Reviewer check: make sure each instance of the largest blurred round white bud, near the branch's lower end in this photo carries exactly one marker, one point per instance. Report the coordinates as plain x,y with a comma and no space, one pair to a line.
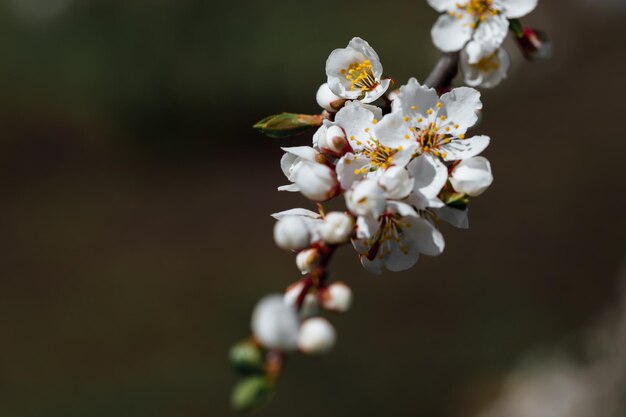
275,324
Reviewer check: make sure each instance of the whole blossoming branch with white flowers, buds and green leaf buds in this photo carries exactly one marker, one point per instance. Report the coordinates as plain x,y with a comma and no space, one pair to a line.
402,168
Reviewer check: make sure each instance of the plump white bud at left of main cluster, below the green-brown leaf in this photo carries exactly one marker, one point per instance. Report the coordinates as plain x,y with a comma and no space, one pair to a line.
315,181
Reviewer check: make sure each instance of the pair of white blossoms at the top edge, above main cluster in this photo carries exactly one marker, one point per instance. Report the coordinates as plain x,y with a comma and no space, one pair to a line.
478,28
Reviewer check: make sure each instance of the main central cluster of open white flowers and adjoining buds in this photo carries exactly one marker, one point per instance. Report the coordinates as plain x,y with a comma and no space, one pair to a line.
394,171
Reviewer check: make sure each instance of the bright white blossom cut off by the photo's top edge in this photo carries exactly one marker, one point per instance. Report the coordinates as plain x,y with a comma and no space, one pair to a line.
482,25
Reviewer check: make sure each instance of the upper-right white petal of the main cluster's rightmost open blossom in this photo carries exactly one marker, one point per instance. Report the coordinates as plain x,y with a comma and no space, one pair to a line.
461,106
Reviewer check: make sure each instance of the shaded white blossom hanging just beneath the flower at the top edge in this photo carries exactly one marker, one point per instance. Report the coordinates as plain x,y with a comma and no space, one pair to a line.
489,72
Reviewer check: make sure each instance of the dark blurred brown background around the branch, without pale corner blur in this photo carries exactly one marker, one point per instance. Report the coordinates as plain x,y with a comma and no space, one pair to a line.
135,235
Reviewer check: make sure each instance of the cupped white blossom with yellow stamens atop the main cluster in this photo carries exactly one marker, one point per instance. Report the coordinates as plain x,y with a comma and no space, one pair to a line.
355,72
